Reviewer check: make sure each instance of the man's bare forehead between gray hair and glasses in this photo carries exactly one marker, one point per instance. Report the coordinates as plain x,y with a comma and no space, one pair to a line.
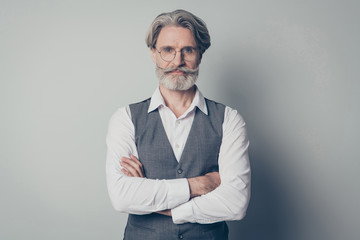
175,36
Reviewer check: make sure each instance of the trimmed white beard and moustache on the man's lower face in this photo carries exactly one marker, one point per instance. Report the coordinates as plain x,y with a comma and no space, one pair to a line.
174,82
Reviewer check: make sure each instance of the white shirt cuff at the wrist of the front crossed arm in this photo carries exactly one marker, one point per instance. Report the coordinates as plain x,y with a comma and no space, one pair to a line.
178,193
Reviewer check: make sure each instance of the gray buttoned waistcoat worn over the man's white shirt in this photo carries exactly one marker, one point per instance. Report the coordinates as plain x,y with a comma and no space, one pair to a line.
199,157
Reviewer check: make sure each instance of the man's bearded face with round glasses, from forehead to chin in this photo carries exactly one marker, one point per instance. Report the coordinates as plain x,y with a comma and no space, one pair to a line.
179,73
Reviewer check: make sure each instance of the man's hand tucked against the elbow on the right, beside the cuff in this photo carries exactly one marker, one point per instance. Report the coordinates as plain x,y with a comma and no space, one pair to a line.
204,184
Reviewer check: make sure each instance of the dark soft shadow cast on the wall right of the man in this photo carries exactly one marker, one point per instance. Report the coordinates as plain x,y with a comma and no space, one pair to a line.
270,215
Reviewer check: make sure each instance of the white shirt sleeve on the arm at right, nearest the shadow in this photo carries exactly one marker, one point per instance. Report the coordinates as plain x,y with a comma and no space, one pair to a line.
230,200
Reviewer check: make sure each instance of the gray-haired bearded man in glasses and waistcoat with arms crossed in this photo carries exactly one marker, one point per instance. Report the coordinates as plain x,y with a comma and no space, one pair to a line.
177,162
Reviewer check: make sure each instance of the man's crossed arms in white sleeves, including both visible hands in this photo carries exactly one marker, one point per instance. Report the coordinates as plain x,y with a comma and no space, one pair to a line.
204,199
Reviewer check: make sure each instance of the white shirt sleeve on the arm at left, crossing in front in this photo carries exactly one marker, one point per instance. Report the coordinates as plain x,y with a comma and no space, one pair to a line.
132,194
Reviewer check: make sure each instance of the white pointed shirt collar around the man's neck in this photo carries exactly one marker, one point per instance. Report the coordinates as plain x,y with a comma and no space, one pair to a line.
157,100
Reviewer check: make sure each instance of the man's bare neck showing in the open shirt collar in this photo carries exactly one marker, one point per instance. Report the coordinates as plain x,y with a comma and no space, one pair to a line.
177,101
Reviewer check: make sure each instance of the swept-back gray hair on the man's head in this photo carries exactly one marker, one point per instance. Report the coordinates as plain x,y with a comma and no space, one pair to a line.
180,18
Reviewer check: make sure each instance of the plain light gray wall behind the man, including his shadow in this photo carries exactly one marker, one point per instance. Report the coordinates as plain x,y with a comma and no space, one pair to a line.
290,67
